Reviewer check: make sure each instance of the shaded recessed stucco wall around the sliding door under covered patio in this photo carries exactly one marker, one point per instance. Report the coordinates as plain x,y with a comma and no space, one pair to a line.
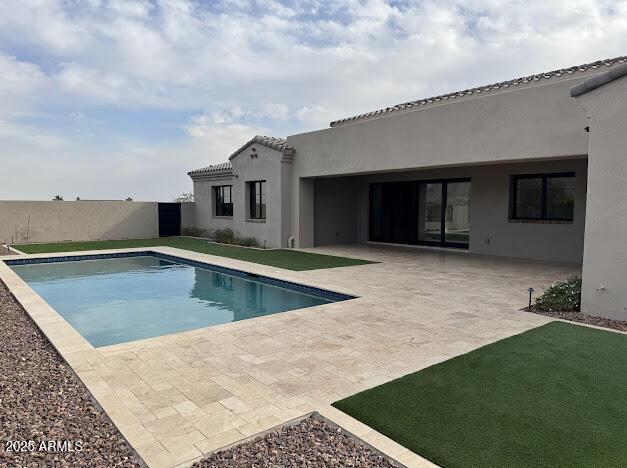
342,210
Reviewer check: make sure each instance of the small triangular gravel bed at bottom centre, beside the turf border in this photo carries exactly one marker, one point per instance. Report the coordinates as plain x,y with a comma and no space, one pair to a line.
310,443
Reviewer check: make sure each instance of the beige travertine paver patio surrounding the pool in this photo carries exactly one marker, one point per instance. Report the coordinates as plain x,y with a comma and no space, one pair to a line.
179,396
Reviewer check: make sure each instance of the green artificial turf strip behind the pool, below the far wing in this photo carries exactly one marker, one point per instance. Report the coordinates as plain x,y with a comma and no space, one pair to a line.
288,259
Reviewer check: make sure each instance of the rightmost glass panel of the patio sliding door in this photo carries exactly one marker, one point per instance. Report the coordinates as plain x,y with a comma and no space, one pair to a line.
457,213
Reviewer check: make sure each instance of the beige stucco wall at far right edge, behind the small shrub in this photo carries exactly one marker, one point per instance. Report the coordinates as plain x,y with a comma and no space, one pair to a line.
605,266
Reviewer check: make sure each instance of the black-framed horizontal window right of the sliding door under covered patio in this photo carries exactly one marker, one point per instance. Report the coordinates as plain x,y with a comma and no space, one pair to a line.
549,197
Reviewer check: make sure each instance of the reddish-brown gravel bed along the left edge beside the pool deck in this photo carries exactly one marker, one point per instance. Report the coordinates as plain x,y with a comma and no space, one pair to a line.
41,400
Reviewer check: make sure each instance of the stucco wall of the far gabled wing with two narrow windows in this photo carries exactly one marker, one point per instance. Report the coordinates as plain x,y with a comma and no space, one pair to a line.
268,166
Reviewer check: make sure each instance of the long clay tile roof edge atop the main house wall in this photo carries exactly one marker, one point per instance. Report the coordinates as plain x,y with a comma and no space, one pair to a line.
483,89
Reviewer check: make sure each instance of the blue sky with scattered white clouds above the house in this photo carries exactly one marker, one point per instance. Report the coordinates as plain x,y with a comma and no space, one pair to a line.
108,99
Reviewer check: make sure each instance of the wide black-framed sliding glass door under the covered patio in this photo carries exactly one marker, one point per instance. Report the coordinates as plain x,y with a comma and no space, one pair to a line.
430,212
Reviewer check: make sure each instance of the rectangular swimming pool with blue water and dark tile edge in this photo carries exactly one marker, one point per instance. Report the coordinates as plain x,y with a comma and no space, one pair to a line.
116,298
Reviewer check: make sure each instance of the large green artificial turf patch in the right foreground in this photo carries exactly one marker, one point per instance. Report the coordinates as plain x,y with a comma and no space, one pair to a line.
552,396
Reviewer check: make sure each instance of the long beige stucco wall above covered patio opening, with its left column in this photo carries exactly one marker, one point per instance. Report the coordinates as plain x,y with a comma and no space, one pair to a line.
529,123
